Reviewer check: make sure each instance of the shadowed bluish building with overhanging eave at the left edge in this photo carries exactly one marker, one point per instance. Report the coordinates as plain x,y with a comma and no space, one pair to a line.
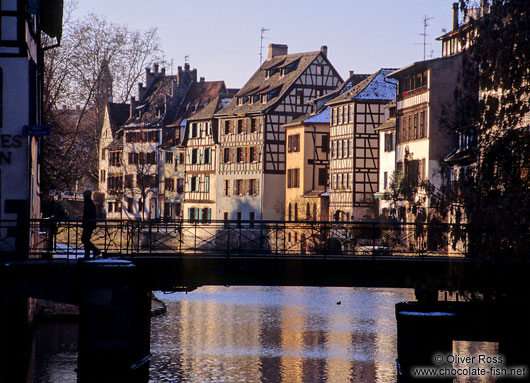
21,53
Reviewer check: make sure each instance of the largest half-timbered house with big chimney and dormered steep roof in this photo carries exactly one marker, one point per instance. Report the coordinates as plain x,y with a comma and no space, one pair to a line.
251,176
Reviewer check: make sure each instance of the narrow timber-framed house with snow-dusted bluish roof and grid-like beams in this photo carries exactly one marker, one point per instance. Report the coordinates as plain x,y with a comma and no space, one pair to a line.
354,146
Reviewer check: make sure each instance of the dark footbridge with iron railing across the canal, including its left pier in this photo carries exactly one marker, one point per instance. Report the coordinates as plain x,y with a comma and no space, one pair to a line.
140,256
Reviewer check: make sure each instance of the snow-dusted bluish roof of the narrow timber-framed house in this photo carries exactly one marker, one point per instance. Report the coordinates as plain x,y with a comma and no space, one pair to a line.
374,87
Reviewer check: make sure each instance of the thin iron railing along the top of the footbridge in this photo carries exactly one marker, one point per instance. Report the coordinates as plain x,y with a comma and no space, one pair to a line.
129,238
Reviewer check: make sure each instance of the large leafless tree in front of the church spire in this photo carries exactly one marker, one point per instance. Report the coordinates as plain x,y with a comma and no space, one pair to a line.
97,62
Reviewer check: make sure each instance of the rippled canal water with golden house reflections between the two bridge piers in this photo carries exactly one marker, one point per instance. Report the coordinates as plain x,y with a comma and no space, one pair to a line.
270,334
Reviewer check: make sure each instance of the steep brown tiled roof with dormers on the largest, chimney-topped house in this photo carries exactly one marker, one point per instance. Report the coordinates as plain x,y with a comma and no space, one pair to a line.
262,83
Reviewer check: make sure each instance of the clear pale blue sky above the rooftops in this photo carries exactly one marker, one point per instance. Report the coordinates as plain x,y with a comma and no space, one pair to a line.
222,37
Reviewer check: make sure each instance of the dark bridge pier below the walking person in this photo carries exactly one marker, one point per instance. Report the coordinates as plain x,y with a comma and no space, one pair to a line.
114,327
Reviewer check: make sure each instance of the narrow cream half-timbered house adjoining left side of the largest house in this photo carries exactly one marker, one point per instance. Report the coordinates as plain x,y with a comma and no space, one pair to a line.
187,170
